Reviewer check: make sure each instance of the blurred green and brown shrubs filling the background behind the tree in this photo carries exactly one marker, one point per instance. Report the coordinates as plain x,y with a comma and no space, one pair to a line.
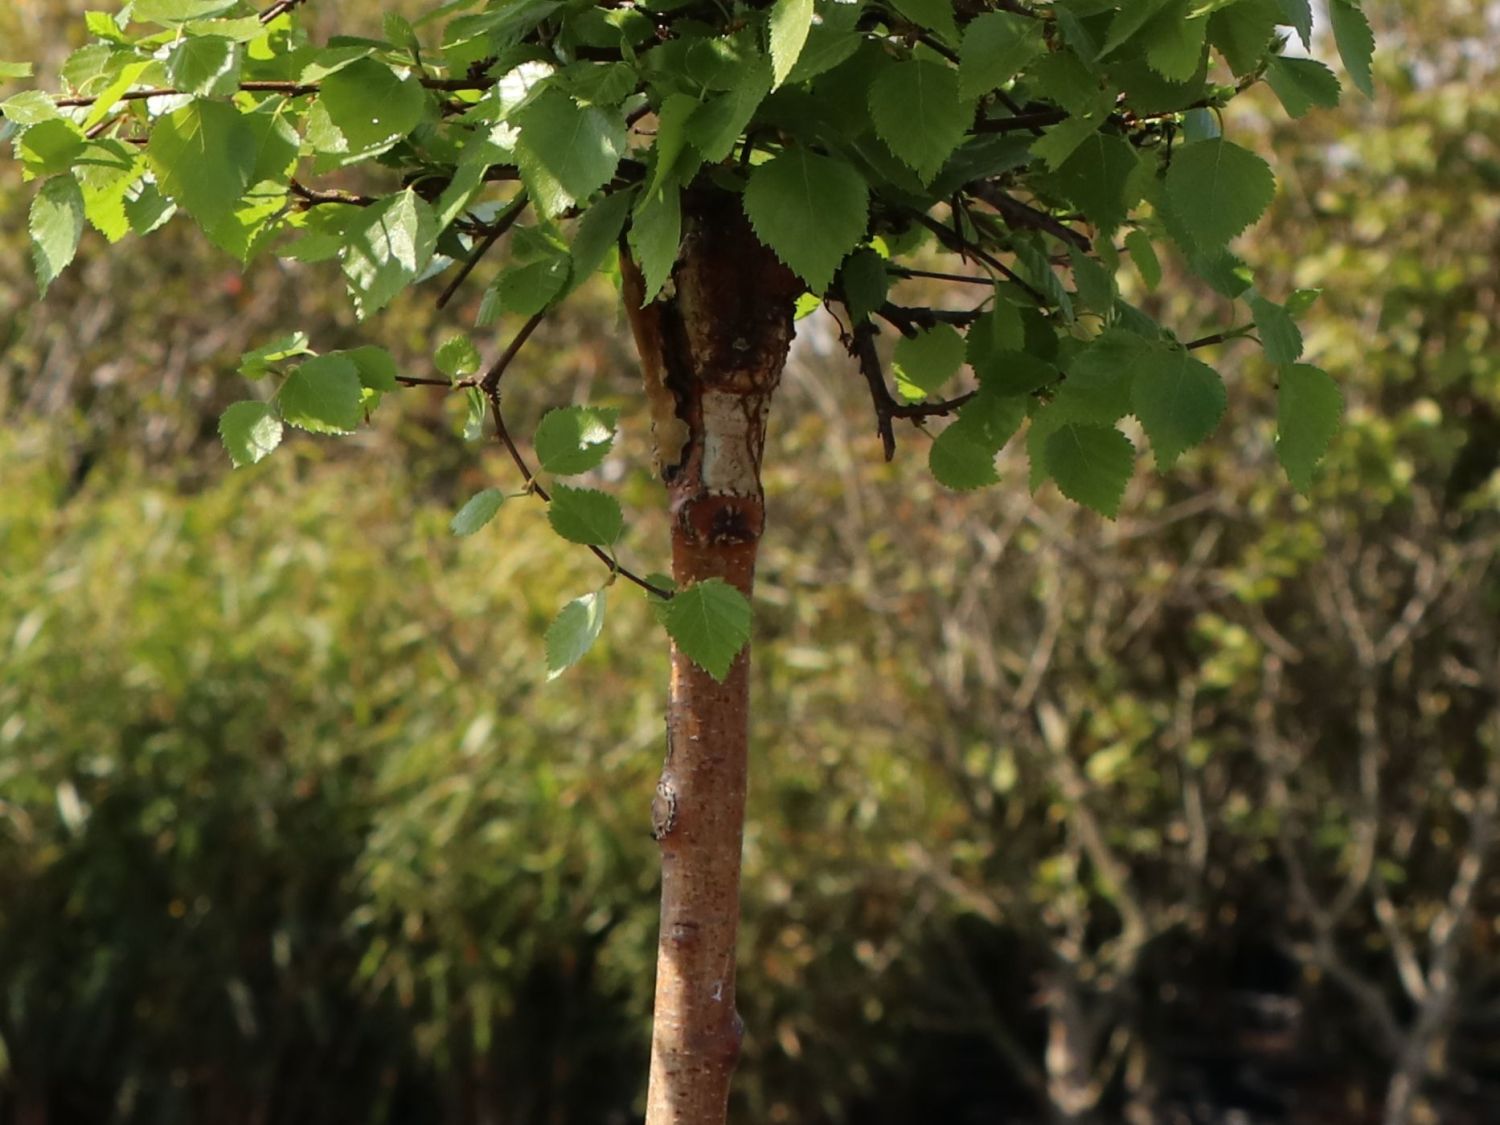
1186,818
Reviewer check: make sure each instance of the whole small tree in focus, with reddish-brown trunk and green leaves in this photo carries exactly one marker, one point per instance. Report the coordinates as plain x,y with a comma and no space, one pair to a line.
748,161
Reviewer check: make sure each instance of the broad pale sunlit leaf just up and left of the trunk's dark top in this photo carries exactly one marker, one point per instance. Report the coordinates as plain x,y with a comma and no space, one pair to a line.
566,152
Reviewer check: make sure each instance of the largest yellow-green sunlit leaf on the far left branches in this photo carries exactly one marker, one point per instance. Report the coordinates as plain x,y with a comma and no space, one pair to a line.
203,157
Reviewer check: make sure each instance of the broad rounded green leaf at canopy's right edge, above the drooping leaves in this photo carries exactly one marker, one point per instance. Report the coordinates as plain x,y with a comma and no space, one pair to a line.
1217,190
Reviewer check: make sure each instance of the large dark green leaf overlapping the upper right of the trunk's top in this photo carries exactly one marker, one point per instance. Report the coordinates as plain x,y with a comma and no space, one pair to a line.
809,209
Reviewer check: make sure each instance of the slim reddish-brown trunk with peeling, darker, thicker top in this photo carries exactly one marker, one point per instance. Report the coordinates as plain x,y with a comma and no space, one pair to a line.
712,347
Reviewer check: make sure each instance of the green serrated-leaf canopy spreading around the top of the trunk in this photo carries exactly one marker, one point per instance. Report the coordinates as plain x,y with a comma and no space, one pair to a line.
1030,148
